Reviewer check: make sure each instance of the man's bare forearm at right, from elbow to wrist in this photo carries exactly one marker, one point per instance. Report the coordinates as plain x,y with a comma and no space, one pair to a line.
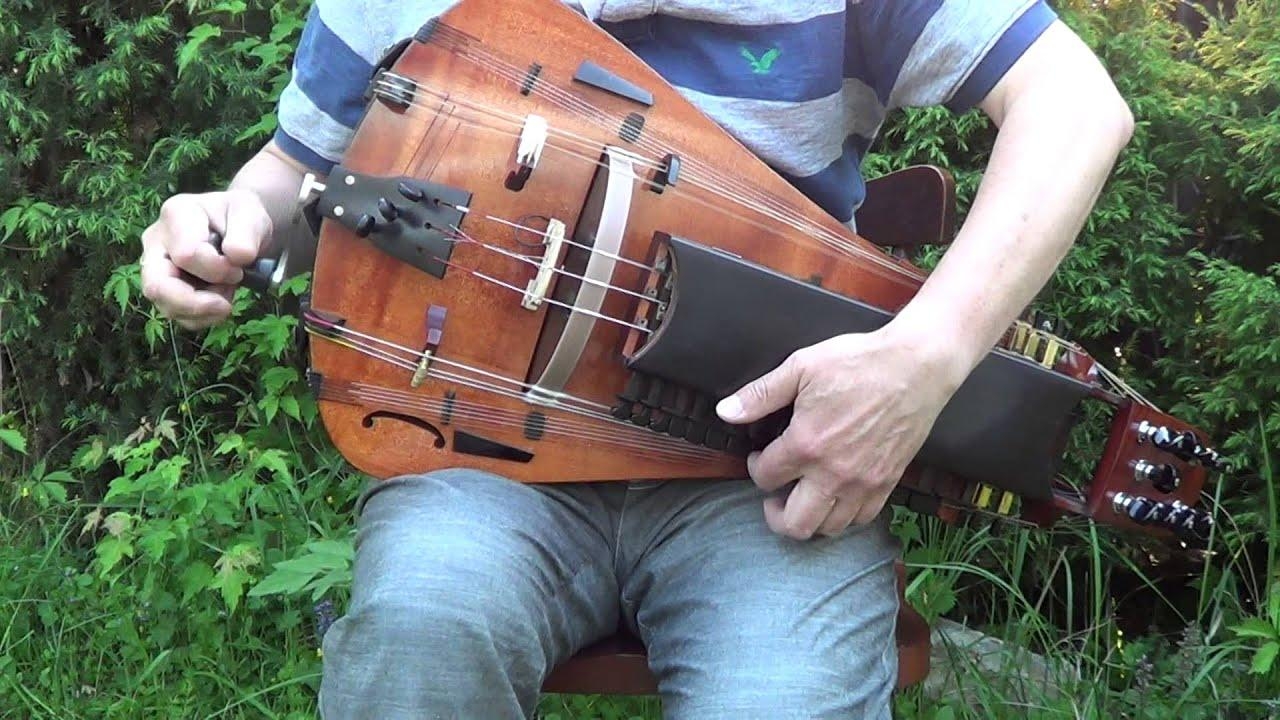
1053,157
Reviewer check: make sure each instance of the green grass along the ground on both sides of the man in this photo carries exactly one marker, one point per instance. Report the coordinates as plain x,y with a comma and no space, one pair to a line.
1130,632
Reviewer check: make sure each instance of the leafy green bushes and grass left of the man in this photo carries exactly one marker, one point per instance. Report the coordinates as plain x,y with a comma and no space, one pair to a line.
127,543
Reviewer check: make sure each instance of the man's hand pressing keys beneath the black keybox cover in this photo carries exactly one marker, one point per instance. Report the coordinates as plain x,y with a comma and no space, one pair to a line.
865,404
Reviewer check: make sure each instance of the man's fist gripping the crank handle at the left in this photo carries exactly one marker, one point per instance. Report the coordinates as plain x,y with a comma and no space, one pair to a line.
179,241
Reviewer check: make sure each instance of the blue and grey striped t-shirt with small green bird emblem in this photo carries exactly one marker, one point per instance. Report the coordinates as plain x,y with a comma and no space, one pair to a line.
803,84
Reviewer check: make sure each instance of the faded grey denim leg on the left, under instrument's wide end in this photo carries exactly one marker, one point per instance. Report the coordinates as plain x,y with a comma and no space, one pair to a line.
467,590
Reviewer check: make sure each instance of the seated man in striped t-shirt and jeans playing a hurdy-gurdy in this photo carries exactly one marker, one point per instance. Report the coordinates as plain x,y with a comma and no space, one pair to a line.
470,589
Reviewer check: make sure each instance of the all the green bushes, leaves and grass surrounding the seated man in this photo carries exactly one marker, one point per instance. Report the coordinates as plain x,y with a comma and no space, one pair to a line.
175,528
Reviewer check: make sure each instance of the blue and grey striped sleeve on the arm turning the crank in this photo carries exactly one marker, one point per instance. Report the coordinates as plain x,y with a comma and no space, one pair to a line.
324,101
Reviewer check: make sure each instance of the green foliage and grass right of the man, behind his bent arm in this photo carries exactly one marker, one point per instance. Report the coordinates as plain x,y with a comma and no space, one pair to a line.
1173,284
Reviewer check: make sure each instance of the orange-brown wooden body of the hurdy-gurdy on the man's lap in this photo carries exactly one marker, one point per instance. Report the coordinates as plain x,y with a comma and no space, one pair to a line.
474,92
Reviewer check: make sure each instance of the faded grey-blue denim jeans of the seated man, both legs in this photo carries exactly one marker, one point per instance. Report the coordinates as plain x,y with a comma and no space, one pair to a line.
469,590
